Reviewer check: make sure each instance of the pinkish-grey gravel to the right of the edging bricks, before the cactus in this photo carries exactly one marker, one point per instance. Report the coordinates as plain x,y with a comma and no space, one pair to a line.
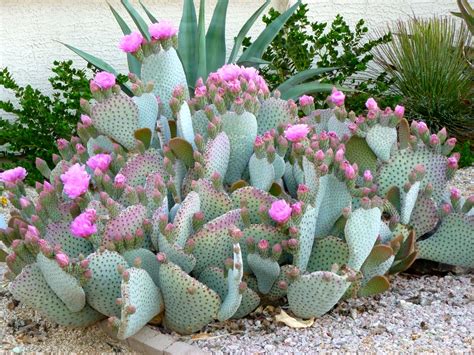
429,314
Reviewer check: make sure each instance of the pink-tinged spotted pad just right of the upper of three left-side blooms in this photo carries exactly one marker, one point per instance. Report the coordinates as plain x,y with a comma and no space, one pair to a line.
140,166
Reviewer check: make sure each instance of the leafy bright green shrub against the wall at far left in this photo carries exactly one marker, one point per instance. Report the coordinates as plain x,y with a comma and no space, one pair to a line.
40,119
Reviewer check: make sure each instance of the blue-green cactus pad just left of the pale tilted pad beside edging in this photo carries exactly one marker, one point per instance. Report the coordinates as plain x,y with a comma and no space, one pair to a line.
103,288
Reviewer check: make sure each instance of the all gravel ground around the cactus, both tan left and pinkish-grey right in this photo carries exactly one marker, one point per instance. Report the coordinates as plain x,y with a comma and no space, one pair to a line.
429,313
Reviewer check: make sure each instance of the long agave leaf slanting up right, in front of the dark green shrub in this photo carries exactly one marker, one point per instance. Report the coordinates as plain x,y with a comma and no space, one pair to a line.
258,47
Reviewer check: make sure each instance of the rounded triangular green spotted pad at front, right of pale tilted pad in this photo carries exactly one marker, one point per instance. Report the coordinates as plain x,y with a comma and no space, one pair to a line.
189,304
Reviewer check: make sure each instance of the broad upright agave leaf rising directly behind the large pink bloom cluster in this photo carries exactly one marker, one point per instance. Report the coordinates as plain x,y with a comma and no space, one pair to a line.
215,38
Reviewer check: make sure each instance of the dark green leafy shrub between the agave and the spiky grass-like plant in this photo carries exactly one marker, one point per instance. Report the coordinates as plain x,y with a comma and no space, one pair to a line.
302,44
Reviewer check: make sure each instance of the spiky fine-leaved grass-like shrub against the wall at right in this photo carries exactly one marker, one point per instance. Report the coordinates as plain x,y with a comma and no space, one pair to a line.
426,64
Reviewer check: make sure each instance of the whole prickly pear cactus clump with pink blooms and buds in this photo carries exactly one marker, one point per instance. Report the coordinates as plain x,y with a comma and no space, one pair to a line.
201,208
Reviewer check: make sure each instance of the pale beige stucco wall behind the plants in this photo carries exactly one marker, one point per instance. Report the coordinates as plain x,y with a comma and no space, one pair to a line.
29,29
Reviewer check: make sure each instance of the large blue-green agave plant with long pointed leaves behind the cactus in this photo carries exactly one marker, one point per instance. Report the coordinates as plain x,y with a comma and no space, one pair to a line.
202,52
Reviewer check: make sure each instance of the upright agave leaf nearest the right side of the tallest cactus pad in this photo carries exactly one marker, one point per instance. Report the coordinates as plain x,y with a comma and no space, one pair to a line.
187,41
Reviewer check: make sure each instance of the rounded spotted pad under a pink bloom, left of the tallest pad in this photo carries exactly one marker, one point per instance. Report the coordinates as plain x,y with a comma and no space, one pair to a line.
117,118
